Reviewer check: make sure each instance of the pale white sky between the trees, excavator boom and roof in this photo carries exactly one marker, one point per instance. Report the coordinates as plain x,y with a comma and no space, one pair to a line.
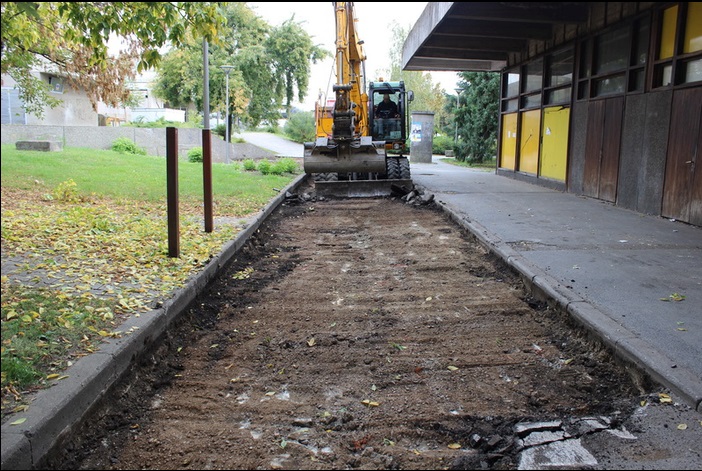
374,27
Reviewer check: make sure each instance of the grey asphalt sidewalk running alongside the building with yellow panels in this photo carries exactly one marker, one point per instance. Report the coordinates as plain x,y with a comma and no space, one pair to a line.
622,274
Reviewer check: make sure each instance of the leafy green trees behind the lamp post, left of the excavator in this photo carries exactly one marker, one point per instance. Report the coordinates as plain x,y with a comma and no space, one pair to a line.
271,67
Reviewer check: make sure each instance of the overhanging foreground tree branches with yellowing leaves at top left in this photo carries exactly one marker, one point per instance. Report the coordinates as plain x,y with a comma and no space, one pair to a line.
70,39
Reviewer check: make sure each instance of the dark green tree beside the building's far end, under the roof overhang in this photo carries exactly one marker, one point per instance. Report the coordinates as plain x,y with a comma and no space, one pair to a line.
478,115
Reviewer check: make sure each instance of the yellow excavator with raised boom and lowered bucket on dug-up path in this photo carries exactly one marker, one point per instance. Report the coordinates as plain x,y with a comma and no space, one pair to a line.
360,148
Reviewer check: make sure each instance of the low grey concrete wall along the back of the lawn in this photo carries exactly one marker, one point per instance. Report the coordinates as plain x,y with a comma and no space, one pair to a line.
152,139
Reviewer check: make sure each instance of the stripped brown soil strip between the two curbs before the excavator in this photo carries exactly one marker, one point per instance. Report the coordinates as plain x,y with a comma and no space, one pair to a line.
357,334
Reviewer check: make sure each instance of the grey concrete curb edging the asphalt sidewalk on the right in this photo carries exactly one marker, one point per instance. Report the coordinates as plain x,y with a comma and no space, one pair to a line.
626,346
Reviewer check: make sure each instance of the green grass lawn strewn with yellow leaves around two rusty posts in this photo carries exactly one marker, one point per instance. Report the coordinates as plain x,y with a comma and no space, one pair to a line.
85,245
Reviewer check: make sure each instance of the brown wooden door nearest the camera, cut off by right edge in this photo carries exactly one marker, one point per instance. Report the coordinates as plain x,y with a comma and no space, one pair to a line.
682,190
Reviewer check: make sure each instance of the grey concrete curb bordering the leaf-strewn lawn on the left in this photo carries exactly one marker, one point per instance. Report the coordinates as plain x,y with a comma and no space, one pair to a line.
59,410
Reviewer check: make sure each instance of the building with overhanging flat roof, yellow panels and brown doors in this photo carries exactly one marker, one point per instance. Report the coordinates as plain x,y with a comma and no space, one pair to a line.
602,100
